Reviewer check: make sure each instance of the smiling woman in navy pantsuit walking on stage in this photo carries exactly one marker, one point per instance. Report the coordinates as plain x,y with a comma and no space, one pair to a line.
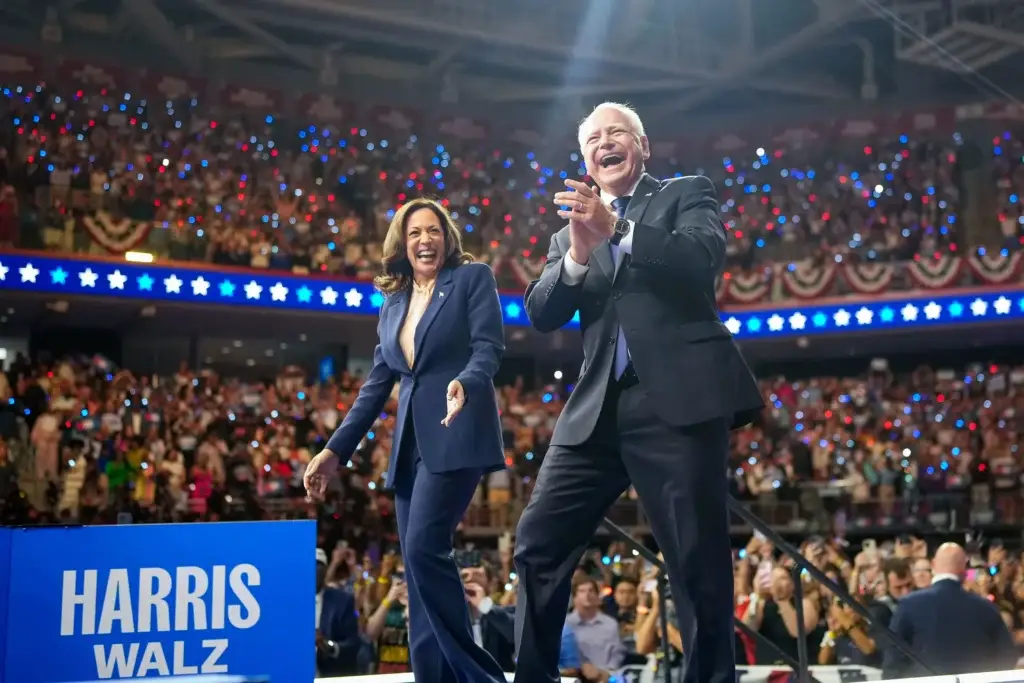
441,337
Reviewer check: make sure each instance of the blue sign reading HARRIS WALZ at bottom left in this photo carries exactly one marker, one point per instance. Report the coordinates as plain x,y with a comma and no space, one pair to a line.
143,602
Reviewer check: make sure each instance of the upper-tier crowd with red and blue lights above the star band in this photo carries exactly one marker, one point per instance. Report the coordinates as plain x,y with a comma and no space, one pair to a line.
105,172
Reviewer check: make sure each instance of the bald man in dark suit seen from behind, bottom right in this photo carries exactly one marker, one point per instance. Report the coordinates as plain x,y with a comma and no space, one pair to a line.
954,631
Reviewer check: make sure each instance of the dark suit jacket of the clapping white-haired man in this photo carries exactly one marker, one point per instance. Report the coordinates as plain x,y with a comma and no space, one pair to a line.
664,300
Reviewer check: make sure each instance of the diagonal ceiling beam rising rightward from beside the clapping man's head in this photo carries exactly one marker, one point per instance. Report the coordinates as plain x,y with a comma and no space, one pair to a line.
830,17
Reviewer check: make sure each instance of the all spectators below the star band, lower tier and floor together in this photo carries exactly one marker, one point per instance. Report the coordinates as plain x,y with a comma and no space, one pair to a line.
86,442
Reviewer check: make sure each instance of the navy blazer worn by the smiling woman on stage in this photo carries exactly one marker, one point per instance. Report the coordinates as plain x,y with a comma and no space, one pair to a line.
460,337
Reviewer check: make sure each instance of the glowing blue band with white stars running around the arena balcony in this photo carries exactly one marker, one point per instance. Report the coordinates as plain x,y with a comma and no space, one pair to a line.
44,274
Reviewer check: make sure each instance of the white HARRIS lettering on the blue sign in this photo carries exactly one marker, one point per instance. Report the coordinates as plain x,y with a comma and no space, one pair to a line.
191,600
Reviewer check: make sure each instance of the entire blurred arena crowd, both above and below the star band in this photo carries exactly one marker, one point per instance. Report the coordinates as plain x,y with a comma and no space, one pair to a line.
869,463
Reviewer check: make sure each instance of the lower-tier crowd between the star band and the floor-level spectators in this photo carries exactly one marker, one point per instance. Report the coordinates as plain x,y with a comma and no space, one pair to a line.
882,447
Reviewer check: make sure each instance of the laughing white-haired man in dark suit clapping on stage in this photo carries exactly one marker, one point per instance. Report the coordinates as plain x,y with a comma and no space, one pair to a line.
662,386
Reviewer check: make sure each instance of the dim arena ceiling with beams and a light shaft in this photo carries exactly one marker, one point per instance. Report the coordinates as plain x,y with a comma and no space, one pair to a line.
668,57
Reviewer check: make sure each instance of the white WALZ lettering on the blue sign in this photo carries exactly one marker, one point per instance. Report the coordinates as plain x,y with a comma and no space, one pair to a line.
119,662
